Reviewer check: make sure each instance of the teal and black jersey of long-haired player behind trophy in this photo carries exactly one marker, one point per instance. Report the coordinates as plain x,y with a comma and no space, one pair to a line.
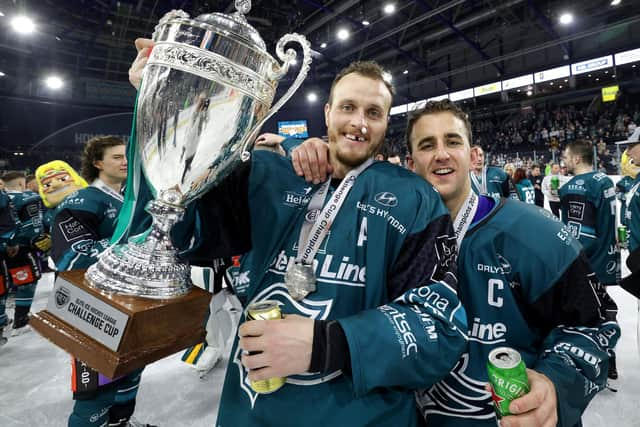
82,227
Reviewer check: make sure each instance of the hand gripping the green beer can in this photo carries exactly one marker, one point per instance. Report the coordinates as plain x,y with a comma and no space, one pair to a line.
538,408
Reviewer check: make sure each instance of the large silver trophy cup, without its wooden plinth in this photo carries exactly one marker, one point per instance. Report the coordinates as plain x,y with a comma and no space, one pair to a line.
207,89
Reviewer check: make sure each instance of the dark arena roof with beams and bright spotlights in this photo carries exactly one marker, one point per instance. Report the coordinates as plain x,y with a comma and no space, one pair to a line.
430,47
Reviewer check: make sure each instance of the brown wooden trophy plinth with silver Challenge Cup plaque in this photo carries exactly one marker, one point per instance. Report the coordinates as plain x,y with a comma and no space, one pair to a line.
116,334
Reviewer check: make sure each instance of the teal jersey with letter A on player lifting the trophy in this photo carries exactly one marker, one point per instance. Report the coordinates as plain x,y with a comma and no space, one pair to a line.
385,272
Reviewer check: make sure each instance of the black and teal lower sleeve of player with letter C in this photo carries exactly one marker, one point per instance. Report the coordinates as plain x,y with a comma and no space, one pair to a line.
574,355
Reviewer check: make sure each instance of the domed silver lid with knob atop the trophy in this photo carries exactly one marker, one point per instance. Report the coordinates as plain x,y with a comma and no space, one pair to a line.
236,24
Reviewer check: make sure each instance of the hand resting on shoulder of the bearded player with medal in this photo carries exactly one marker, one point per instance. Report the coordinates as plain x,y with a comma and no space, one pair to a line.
311,160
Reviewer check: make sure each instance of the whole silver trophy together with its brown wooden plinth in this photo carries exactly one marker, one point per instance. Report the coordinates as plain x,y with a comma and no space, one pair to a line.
207,89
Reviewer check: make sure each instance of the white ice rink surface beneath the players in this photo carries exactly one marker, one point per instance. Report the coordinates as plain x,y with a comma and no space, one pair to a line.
34,381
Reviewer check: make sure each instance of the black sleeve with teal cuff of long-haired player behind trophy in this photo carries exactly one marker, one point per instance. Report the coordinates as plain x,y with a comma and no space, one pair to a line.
75,240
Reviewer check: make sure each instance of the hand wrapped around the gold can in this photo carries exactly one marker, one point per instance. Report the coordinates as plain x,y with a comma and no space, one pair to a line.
279,347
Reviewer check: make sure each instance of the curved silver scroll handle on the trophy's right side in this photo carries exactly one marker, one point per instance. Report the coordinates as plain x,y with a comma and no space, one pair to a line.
287,57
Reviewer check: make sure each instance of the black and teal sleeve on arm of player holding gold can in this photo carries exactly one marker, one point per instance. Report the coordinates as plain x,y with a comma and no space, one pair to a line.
419,334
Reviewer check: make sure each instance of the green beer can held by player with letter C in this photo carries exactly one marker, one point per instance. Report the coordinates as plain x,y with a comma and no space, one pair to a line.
508,378
